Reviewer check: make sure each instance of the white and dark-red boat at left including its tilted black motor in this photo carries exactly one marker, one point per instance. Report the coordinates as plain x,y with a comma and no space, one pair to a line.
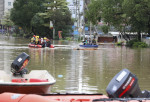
19,81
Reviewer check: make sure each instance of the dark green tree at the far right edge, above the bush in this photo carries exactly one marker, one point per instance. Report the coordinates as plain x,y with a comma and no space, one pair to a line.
138,12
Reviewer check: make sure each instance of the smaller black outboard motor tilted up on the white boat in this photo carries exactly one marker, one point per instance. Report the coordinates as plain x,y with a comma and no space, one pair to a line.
19,64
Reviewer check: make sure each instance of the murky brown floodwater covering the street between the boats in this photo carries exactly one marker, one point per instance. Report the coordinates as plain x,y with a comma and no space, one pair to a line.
79,71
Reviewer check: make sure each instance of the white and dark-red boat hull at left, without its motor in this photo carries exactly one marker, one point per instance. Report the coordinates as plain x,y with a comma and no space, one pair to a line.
36,82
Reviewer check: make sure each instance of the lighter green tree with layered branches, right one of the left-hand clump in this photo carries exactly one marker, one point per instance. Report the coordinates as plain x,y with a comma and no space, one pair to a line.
57,12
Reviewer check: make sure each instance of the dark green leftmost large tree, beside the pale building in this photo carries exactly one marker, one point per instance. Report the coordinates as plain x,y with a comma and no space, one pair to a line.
23,12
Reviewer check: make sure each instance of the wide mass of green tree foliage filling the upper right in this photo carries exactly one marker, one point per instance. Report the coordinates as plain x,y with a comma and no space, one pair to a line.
122,14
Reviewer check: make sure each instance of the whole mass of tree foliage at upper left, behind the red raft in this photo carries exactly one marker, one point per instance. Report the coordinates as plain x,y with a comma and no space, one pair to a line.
33,16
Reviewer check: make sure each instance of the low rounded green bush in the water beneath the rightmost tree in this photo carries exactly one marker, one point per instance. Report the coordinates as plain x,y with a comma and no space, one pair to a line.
136,43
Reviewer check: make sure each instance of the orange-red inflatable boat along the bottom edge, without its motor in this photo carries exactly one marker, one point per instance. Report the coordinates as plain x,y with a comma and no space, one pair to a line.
14,97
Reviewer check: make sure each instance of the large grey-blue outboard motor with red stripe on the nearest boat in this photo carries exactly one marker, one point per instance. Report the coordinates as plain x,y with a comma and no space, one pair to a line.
125,85
